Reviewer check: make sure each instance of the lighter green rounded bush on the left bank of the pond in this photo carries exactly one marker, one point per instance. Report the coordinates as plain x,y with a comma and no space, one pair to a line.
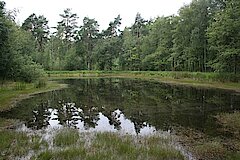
21,66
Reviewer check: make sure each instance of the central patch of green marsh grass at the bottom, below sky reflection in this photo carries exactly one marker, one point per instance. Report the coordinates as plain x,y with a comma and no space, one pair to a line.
109,146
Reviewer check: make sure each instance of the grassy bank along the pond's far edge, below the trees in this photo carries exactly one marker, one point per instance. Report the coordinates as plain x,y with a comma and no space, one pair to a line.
199,79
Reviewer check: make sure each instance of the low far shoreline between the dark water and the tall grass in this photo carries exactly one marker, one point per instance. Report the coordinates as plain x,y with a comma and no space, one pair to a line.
152,76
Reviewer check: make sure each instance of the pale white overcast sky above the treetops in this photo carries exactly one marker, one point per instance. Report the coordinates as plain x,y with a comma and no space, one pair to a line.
103,11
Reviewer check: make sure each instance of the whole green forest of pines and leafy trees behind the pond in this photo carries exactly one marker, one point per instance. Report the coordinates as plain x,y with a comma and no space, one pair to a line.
202,37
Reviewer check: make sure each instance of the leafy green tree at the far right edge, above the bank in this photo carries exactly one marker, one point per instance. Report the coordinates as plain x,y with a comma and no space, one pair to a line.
223,36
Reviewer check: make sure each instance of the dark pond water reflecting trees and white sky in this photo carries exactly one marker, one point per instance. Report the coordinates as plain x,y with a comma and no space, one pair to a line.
127,105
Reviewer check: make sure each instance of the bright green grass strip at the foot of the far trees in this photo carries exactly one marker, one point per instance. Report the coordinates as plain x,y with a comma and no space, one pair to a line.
200,76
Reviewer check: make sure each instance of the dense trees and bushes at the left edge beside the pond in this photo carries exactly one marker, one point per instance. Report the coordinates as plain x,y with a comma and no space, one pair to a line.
16,50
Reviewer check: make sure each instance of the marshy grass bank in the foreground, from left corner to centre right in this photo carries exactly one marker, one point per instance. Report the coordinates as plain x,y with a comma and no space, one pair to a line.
68,144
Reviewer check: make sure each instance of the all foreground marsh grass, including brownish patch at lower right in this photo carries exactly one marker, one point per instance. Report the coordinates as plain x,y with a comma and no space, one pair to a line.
69,144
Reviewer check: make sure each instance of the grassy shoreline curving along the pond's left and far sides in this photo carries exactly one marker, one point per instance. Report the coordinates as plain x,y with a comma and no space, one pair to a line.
10,96
